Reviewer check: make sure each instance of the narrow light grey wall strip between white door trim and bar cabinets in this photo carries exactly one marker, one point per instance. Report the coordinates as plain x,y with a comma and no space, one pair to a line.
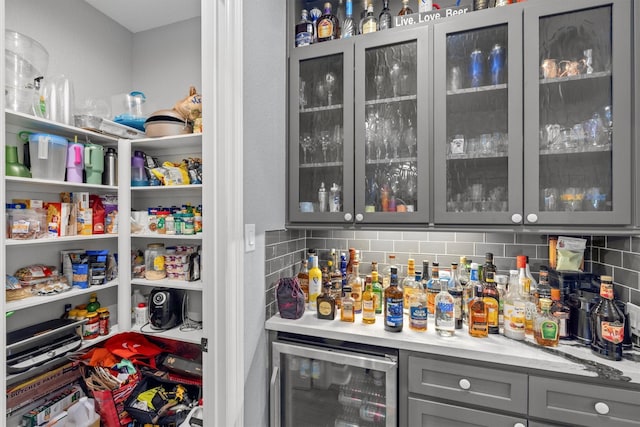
264,181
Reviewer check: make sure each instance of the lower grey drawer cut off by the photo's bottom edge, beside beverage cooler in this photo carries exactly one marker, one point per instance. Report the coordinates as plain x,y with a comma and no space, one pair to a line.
423,413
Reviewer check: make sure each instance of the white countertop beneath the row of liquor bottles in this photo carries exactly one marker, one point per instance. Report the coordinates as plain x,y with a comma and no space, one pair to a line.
569,358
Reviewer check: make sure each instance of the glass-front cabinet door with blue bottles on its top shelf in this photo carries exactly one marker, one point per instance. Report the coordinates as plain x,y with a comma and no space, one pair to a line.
478,118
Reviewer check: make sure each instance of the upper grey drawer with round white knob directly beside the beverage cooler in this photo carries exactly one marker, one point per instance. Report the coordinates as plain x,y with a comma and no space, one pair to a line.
495,389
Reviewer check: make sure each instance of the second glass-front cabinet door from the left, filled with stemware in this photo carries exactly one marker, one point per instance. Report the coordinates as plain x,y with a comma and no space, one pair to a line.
391,127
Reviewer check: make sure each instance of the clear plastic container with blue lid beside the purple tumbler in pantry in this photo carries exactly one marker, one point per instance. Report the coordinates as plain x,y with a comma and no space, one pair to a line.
48,154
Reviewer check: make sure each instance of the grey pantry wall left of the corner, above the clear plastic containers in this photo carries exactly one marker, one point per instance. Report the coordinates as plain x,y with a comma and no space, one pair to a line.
73,34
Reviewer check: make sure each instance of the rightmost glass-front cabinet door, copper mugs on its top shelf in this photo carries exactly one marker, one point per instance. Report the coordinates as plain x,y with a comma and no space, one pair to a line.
577,113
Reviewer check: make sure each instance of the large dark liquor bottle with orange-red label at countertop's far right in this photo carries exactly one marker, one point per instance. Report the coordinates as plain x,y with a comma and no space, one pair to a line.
607,323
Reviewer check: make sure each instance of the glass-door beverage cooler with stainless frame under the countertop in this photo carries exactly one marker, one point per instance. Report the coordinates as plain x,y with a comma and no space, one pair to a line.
319,382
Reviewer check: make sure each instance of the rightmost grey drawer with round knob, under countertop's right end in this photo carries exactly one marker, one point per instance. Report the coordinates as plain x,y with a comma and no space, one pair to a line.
583,404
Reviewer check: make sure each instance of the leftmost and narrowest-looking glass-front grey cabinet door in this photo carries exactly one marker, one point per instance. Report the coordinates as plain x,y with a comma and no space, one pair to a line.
321,133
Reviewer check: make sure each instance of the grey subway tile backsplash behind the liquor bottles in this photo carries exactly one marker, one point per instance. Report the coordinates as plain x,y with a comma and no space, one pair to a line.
618,256
